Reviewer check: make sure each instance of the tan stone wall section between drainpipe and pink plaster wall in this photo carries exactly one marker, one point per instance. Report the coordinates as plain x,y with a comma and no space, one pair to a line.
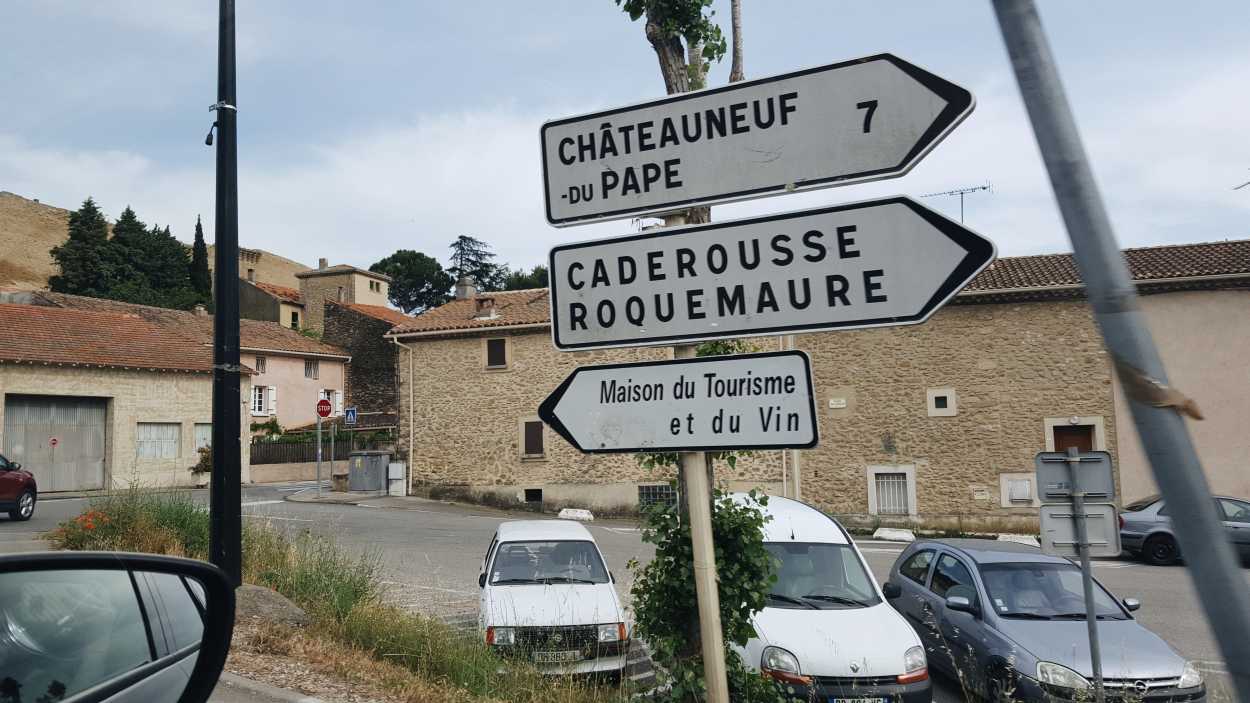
1011,367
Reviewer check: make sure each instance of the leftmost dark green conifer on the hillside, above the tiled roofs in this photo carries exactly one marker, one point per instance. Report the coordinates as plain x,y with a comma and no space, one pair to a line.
88,262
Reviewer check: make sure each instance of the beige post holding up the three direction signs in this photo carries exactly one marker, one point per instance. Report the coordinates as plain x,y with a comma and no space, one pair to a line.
694,467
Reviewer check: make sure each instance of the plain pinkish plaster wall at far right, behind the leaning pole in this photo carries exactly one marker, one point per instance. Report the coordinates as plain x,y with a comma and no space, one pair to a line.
1204,338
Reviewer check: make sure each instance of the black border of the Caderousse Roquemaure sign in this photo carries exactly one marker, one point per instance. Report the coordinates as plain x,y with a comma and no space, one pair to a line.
979,253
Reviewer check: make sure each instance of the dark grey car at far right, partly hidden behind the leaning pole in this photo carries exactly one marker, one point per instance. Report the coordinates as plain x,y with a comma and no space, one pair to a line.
1146,529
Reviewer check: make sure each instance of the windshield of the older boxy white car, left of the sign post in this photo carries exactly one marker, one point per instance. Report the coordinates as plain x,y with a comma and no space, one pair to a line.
547,562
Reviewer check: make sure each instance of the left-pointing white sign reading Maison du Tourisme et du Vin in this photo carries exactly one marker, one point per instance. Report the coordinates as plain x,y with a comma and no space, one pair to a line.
703,405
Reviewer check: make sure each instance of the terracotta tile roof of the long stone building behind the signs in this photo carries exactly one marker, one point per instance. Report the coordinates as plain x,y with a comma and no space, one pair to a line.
1006,275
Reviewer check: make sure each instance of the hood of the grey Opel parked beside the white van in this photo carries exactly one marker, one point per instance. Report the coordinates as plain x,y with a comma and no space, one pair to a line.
1129,651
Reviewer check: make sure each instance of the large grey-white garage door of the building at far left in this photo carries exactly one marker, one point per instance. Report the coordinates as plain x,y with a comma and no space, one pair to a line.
59,440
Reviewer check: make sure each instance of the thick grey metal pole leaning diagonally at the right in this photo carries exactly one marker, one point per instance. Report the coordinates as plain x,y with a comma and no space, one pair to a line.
1217,577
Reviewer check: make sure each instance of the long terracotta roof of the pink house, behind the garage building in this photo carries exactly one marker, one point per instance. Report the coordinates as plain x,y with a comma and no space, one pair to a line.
253,335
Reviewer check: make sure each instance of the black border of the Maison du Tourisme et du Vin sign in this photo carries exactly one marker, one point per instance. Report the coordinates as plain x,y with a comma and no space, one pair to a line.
547,410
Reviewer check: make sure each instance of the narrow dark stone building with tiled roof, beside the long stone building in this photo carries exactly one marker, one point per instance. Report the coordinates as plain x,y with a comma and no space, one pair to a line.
372,385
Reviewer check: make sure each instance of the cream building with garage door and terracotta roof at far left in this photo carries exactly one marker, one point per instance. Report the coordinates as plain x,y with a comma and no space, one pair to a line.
103,400
